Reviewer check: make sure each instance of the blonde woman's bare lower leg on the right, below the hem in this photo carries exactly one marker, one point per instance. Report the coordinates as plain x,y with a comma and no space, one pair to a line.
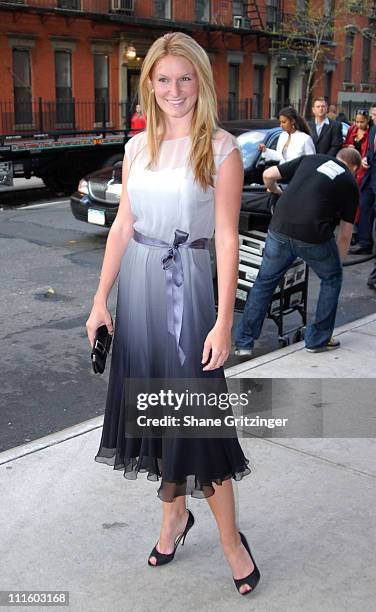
222,504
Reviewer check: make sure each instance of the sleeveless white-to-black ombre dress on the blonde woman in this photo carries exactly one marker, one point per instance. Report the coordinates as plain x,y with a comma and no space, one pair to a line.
148,341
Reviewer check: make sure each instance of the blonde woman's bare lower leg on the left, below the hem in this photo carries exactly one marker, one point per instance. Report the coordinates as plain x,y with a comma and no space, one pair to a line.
174,520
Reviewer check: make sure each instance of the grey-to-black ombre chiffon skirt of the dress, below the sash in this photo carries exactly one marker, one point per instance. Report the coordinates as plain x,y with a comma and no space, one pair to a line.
143,348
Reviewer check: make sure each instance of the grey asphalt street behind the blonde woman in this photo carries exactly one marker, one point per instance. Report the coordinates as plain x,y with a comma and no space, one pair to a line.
49,268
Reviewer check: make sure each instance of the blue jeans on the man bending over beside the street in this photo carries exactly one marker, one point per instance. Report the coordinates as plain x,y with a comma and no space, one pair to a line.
280,252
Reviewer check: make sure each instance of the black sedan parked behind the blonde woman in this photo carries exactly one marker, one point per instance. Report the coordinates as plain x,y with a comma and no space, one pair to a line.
97,198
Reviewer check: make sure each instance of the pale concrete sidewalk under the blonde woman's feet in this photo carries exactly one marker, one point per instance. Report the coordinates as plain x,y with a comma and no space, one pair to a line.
69,523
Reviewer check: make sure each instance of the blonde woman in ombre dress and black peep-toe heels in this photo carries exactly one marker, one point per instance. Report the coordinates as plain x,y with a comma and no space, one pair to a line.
182,178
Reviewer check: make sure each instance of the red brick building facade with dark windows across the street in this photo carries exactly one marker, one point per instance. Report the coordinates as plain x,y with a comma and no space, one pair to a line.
76,62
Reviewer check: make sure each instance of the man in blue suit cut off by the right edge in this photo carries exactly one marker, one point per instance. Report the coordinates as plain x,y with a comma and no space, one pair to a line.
367,202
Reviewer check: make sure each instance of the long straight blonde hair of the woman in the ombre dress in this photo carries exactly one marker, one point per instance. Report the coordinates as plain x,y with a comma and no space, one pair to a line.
205,114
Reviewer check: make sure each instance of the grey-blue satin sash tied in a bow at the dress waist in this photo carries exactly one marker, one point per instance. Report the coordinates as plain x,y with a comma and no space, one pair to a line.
172,264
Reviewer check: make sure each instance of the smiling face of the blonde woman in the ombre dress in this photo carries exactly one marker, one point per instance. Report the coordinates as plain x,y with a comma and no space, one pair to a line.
175,85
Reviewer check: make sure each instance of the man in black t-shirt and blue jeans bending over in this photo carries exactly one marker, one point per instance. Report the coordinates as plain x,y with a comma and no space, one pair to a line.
322,189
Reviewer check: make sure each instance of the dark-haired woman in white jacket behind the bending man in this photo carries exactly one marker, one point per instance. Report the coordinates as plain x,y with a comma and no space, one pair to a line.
294,141
